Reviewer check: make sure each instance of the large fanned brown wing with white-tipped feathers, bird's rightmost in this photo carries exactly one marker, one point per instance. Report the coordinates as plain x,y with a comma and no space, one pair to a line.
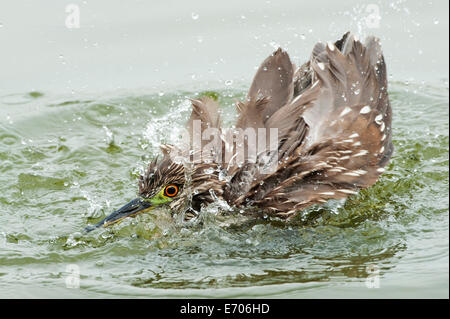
347,116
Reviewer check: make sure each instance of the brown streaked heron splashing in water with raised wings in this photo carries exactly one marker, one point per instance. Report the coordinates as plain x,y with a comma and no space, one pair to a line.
332,118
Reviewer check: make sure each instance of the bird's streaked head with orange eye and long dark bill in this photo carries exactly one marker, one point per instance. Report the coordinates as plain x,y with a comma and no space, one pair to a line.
162,184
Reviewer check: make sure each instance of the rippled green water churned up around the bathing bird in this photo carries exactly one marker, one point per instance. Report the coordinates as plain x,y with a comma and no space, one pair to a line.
67,161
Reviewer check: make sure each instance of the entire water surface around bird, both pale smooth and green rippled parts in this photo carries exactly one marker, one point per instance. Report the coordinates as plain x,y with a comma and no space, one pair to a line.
72,145
